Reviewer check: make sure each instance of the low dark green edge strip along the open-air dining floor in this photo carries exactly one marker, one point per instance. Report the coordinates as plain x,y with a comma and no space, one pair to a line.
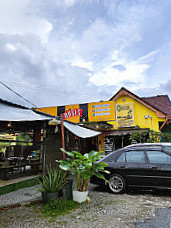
23,184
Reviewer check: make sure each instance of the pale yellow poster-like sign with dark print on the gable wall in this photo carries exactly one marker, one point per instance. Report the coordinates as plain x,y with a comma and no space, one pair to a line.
125,115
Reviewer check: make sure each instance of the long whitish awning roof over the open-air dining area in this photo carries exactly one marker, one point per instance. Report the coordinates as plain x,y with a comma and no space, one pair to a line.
10,113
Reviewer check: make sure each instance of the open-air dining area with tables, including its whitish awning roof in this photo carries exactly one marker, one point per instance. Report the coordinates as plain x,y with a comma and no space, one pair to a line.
21,141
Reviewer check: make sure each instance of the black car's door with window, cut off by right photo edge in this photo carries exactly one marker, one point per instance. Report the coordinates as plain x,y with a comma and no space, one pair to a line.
159,168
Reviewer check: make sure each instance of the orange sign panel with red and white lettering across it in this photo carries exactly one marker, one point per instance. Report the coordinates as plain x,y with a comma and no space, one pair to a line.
74,109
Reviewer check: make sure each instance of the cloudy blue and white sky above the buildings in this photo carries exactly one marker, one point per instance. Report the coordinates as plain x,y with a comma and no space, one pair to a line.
58,52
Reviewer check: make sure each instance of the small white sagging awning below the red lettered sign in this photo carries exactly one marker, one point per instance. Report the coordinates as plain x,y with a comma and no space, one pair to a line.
80,131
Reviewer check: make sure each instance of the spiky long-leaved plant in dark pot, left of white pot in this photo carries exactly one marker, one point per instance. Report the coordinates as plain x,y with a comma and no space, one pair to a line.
51,183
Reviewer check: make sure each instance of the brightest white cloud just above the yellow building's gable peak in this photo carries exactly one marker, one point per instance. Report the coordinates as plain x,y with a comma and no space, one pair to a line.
135,71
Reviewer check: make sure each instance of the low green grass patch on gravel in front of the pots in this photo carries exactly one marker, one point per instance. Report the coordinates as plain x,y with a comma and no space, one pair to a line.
57,207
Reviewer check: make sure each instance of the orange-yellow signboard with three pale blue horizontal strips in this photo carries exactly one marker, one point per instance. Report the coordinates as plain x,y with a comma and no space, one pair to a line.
101,111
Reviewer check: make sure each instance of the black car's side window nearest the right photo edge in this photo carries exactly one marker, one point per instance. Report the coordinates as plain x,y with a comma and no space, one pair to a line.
158,157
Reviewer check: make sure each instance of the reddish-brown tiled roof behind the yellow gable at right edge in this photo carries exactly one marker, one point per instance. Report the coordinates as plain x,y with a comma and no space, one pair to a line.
161,102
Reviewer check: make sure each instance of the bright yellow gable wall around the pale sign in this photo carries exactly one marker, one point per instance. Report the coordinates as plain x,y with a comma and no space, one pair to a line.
139,111
